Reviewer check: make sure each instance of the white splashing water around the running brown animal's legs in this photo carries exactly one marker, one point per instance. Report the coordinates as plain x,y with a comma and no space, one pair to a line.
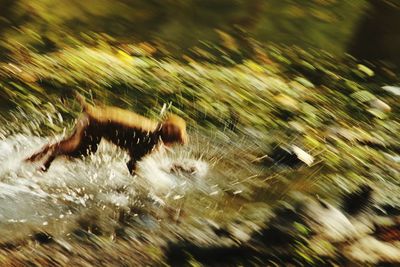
29,198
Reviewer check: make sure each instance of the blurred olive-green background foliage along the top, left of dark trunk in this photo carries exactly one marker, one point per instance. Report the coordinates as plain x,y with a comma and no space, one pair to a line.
47,24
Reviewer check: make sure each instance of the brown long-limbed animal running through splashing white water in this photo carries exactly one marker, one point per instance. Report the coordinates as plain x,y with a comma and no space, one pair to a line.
126,129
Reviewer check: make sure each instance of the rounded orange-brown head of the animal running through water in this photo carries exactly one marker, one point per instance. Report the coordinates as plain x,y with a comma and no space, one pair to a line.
173,130
